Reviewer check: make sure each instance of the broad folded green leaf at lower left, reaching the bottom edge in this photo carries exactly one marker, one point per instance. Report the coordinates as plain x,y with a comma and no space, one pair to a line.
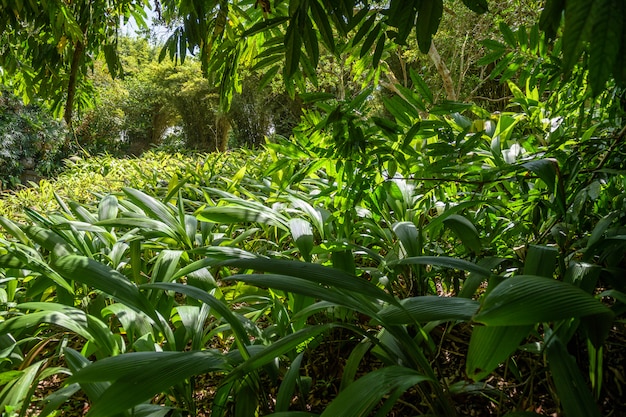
137,377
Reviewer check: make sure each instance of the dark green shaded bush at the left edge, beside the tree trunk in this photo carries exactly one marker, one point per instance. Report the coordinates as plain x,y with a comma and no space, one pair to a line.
30,139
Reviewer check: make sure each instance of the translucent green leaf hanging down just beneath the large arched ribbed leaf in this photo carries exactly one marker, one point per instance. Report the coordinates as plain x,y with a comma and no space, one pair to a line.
490,346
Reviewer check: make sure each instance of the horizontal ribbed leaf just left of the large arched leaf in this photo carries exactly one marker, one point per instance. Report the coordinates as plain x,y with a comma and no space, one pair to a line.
429,308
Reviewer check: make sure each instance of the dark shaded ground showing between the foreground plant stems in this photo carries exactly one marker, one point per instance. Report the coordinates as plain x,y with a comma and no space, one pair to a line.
520,385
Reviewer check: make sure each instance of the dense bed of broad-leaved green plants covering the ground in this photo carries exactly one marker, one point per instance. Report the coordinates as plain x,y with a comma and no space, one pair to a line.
387,229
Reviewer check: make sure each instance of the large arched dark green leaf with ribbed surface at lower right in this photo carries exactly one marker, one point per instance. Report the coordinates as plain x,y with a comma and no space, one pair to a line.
529,299
